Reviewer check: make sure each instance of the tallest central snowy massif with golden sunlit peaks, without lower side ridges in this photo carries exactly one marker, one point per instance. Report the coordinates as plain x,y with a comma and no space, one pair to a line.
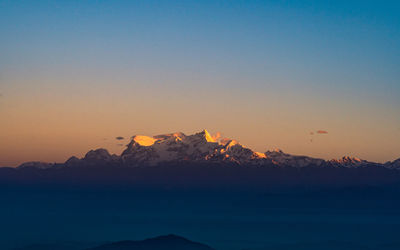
143,150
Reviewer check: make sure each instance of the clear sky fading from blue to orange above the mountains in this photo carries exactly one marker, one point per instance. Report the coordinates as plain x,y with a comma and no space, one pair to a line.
74,75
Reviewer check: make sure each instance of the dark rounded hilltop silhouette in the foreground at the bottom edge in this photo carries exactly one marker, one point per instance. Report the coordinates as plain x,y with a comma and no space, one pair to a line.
169,242
